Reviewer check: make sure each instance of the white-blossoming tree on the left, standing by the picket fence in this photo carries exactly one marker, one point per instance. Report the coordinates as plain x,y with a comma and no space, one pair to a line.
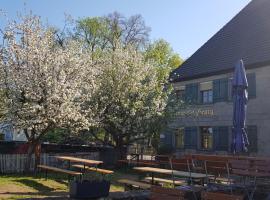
44,83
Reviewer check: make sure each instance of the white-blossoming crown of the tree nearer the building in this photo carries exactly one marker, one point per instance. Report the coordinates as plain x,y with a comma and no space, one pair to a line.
130,98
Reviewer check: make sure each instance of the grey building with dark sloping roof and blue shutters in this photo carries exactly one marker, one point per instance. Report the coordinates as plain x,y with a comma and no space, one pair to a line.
203,81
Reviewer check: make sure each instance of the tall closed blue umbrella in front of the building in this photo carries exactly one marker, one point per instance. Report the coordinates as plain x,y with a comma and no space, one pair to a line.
240,98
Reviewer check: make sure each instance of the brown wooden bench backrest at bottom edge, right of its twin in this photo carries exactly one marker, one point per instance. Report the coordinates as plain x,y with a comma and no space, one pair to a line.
220,196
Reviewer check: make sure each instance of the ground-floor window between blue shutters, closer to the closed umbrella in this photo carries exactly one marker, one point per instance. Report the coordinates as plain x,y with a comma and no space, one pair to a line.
206,138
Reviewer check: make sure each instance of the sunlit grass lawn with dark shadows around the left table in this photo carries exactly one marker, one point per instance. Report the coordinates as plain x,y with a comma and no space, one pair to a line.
20,186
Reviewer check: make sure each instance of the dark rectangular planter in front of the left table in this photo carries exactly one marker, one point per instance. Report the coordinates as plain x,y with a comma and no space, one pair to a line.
89,189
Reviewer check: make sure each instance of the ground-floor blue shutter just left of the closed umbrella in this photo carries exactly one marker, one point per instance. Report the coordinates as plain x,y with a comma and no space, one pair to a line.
221,138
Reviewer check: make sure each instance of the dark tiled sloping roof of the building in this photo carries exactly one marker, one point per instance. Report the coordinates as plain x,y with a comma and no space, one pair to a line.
246,36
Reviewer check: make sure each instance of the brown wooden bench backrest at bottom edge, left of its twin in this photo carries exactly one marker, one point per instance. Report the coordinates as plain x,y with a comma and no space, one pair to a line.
160,193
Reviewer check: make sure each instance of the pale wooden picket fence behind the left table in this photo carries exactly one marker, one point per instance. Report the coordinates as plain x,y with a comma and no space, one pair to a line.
14,163
